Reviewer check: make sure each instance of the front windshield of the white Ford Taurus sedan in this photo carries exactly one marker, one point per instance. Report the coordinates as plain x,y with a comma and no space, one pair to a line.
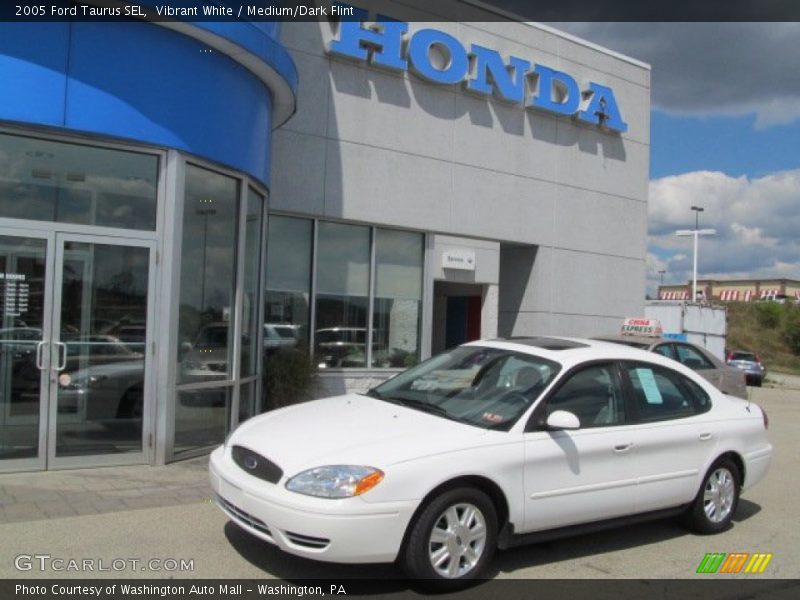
484,387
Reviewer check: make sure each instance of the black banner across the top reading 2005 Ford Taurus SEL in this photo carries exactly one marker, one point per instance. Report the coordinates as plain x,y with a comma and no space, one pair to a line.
406,10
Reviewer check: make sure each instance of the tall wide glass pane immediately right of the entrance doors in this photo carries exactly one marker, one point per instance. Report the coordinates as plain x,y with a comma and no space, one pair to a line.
207,292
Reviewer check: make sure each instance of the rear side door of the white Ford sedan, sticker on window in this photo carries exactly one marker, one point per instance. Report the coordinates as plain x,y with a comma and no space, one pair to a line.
672,435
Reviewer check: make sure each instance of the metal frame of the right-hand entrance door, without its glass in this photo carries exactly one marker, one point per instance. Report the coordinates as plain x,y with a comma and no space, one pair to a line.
148,413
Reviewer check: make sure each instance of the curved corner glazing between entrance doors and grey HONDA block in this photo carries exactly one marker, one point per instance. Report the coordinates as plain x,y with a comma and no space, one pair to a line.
220,279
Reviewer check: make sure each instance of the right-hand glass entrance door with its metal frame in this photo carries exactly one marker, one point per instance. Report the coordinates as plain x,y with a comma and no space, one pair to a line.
100,360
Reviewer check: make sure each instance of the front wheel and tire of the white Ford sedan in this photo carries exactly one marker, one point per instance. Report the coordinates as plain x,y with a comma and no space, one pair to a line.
439,552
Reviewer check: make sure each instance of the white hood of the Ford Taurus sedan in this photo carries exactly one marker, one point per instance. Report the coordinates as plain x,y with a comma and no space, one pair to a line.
352,429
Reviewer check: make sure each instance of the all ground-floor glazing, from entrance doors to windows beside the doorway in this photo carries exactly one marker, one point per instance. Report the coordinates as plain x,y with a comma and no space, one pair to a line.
133,344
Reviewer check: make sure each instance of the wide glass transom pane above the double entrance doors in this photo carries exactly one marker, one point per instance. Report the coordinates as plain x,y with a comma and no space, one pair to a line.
71,183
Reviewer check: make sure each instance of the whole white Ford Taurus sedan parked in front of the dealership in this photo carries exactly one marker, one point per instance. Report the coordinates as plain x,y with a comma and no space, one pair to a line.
489,445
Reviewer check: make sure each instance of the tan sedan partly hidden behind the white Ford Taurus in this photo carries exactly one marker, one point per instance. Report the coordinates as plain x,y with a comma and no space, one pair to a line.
697,358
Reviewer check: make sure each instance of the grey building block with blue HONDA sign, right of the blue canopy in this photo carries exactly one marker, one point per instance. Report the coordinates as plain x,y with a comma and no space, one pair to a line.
420,200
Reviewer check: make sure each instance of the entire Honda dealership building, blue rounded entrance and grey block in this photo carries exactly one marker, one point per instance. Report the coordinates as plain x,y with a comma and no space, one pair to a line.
179,200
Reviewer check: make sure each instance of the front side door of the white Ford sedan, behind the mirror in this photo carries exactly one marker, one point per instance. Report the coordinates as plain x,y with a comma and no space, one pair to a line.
581,475
